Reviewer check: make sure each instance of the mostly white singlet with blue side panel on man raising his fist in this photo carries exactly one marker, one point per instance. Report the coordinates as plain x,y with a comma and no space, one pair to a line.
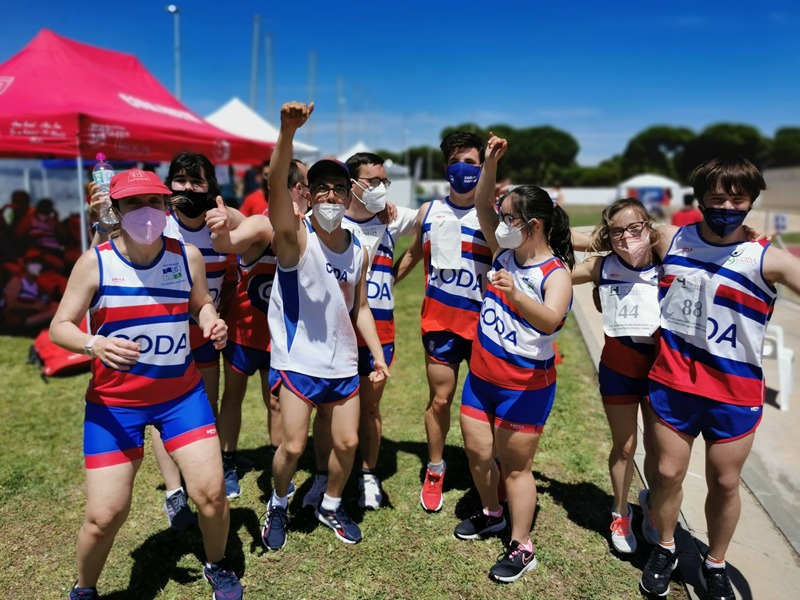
309,311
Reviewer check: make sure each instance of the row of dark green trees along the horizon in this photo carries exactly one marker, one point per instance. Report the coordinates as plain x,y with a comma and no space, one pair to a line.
546,155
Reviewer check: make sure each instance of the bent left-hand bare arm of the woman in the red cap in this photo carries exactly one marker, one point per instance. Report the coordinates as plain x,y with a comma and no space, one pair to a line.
116,353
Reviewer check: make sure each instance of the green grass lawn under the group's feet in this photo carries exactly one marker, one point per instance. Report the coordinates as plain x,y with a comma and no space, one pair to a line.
406,553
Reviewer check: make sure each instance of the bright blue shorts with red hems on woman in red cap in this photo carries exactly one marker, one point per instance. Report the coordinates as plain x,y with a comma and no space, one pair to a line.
114,435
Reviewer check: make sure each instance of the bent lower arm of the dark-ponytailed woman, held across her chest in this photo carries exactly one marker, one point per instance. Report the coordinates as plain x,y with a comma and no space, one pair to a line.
557,295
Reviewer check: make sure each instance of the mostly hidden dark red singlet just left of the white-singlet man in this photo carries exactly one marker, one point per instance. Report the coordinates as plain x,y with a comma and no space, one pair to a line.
247,316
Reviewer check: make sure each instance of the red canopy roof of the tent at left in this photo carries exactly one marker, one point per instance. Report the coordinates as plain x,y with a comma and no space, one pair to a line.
61,98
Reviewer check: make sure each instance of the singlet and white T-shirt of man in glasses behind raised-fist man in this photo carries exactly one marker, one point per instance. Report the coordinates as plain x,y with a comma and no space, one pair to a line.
379,240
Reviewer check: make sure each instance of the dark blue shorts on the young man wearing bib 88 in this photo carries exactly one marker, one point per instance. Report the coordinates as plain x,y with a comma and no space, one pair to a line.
692,415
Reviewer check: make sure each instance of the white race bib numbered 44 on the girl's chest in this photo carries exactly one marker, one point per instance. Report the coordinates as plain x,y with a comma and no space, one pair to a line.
629,309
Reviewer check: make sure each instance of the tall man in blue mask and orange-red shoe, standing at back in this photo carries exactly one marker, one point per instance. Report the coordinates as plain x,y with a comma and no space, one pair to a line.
457,259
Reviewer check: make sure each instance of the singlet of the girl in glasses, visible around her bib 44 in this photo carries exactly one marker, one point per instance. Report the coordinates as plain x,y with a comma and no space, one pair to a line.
631,356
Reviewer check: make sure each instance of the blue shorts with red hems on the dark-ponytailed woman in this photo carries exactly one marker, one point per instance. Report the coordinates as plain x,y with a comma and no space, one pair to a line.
517,410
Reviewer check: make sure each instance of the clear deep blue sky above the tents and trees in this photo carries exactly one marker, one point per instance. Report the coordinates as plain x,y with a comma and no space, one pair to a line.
602,71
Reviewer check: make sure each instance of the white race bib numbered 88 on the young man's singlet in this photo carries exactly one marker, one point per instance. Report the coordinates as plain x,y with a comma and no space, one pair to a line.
686,306
